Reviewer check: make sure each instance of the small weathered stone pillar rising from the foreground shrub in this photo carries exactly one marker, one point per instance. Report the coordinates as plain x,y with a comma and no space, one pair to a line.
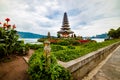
47,50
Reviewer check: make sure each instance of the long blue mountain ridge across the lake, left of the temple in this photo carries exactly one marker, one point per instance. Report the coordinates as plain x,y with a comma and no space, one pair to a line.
30,35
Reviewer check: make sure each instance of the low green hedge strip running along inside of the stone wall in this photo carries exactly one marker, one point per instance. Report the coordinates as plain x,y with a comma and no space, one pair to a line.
70,54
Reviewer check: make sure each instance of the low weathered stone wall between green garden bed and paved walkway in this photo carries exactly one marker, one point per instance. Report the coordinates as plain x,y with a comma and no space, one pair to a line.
83,65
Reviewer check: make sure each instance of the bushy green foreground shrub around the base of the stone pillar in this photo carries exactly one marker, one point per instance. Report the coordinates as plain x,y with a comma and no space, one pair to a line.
38,70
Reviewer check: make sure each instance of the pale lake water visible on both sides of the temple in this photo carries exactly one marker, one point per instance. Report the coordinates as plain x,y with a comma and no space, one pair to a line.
34,41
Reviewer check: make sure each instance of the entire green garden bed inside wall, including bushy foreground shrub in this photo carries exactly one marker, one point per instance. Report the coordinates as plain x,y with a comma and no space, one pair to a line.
41,66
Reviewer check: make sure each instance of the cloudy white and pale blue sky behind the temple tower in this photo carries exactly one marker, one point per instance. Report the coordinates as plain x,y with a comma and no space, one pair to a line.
86,17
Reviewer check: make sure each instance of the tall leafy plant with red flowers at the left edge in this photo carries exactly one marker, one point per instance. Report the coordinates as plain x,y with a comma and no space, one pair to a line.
8,38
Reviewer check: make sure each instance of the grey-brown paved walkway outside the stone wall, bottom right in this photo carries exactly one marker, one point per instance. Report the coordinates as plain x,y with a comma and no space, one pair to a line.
111,69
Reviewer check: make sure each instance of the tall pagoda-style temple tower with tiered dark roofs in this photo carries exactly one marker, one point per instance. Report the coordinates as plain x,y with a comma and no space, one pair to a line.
65,30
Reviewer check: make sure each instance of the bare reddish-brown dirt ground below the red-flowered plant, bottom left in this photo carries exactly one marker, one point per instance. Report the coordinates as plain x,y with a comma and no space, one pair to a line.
15,69
